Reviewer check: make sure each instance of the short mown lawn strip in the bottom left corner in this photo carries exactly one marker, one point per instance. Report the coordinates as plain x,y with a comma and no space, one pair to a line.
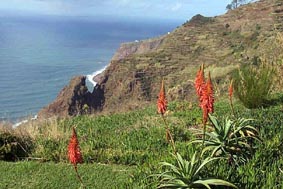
61,175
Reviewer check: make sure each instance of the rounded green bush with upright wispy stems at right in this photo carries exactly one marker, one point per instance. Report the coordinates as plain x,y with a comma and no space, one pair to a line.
253,83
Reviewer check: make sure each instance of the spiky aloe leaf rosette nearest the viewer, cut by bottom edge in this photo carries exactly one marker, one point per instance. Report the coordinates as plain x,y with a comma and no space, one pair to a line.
187,174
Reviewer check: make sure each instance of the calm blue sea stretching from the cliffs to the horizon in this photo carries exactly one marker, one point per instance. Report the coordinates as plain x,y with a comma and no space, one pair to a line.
39,55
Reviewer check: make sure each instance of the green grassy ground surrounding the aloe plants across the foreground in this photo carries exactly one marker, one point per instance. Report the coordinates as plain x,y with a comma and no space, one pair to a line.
123,150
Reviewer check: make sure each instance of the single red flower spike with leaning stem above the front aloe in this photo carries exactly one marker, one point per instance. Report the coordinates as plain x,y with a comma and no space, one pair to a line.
161,109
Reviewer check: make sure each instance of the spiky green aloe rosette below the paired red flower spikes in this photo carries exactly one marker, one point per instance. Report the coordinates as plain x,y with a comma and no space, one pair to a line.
231,139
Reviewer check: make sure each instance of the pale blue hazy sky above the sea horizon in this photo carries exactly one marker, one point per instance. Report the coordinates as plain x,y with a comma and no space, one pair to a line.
164,9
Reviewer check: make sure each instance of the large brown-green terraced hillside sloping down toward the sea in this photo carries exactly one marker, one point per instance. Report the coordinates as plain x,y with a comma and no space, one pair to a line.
133,77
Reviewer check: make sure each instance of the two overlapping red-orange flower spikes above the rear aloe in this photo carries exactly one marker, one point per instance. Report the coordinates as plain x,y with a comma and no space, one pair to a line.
205,93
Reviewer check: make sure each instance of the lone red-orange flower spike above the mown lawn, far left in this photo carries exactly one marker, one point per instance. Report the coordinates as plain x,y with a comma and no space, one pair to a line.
74,151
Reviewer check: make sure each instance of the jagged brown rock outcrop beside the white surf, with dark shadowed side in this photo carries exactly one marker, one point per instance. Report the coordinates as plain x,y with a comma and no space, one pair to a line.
74,99
